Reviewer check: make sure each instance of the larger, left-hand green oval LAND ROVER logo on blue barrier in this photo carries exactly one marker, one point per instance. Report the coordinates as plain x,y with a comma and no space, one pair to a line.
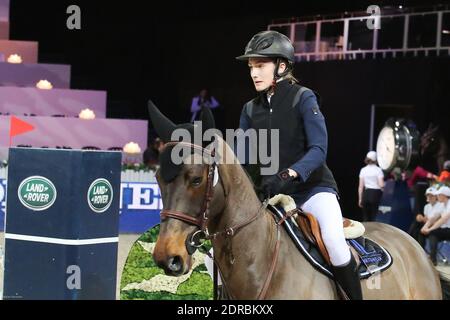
37,193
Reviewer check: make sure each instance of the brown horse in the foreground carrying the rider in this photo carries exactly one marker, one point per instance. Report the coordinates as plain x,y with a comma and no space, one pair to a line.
256,259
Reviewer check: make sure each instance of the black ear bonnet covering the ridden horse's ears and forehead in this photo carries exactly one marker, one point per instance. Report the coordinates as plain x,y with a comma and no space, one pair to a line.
164,128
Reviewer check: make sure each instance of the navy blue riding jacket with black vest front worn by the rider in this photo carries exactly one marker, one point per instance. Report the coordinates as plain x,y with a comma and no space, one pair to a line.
295,112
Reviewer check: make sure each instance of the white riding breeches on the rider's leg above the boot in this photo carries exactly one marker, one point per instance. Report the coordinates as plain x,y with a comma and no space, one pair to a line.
325,208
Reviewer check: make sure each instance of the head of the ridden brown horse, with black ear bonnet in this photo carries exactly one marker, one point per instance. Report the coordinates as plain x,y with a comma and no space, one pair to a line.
189,190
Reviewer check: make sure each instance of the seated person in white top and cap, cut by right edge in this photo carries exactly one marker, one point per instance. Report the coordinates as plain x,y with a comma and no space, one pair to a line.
438,228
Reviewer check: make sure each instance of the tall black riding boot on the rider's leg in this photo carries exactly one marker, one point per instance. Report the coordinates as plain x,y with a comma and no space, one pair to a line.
348,278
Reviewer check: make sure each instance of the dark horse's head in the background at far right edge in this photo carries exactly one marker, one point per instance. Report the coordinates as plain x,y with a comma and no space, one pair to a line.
433,144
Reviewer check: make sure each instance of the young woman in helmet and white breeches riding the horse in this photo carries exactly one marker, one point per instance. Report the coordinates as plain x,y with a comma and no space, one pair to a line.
304,174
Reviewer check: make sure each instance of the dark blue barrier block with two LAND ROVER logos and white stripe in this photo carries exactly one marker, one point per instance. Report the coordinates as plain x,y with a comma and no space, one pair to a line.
61,232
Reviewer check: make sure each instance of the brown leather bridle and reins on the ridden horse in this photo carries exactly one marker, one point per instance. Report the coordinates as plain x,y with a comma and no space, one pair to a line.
201,221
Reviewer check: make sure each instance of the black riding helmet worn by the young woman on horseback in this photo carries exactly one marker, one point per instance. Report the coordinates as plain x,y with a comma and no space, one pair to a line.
270,44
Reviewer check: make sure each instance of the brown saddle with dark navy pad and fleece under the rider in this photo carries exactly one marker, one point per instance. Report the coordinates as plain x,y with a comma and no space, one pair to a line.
305,231
